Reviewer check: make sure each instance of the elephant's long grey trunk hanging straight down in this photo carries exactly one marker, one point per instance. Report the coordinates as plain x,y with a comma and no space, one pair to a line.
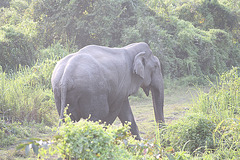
158,101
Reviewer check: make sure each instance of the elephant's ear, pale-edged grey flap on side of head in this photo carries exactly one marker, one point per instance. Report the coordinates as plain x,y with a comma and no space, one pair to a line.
139,64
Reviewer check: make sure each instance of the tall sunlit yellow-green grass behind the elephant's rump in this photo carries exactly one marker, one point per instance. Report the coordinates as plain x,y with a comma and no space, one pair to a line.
26,95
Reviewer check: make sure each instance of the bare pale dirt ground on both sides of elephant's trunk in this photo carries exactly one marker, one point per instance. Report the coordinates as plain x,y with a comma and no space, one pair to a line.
176,103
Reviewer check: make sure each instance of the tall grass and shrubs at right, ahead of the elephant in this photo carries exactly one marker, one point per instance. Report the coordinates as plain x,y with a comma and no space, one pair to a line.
211,129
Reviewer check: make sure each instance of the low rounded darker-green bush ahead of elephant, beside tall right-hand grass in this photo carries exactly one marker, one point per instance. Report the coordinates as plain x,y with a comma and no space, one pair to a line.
192,134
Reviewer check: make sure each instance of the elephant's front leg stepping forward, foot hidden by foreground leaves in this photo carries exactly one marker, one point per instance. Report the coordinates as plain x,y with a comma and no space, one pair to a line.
127,115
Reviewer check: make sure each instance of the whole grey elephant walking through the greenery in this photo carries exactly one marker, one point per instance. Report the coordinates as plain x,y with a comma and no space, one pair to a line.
97,81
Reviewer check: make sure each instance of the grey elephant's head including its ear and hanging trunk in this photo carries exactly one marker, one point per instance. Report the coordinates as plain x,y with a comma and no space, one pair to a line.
148,67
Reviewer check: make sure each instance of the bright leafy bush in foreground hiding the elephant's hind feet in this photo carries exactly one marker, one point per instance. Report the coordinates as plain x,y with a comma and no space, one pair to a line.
89,140
